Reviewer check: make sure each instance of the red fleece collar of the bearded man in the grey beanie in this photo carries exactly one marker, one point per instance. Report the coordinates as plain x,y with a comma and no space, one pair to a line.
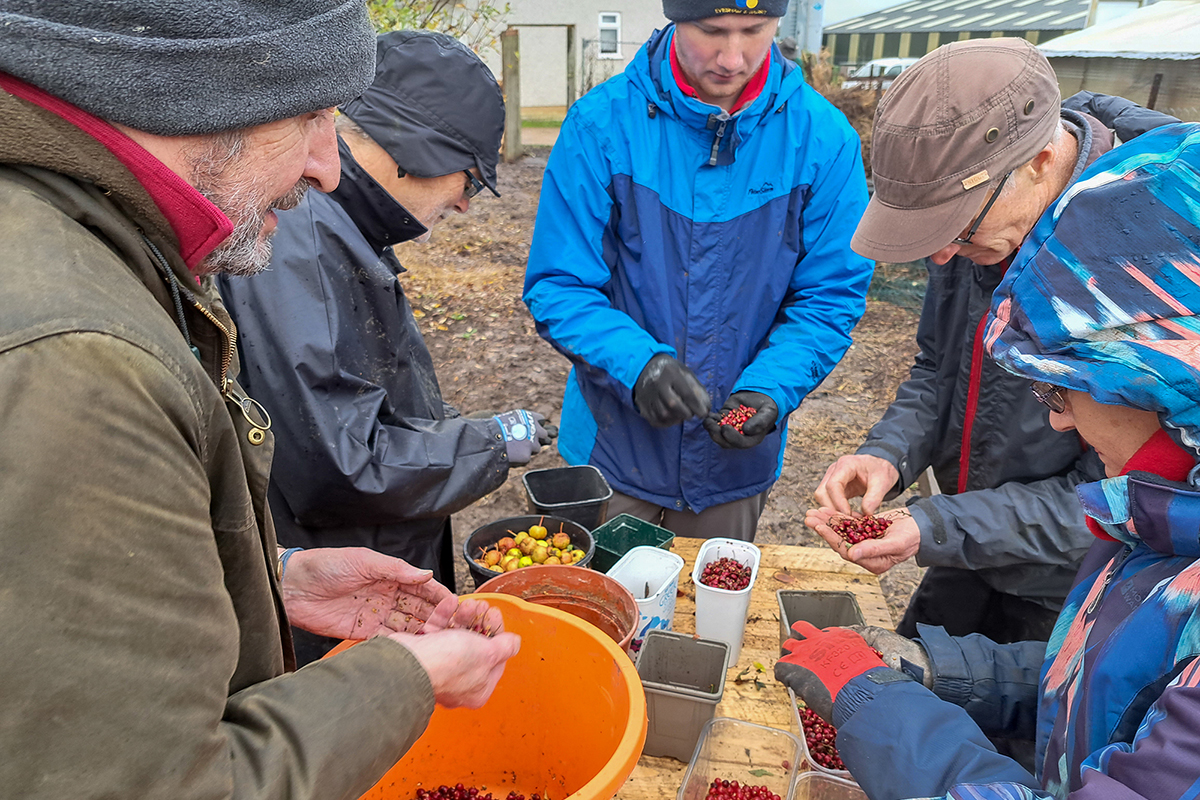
199,225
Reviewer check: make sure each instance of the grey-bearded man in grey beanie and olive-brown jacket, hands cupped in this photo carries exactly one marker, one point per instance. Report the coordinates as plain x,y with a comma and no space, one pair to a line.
145,148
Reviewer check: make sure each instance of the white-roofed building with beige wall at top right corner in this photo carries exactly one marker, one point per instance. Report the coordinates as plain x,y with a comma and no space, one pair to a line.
1150,56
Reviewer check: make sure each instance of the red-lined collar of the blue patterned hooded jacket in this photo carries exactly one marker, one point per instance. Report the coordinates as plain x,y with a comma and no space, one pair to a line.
1159,508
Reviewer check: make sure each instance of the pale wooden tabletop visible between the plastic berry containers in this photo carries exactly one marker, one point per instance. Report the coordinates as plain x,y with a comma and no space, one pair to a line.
809,568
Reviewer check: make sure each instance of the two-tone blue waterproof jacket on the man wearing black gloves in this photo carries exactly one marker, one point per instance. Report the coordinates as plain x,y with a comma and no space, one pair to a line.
742,268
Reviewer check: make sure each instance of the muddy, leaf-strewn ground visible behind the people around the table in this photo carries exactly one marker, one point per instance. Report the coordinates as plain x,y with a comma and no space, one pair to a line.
465,287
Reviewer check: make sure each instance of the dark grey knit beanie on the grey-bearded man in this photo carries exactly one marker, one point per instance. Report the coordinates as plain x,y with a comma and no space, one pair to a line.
179,68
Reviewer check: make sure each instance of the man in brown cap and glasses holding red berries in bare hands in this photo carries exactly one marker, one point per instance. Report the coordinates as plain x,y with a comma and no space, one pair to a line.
971,146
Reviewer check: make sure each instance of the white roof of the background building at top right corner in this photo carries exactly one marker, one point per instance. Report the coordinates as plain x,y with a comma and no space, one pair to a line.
1169,29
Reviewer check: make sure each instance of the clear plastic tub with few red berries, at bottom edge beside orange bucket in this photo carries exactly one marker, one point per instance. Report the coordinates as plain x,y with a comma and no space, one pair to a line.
733,750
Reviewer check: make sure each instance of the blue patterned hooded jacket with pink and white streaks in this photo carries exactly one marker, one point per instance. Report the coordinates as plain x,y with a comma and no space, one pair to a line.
1102,299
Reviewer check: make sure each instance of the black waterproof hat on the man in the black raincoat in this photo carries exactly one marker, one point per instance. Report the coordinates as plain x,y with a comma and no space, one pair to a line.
435,107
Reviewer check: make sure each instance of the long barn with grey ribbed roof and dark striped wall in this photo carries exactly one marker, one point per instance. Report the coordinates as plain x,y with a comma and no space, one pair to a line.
914,29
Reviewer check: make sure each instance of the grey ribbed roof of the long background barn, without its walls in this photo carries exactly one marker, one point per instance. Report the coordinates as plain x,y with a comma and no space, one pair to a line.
946,16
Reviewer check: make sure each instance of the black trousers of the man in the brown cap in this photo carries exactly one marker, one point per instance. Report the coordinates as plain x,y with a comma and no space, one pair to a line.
963,604
